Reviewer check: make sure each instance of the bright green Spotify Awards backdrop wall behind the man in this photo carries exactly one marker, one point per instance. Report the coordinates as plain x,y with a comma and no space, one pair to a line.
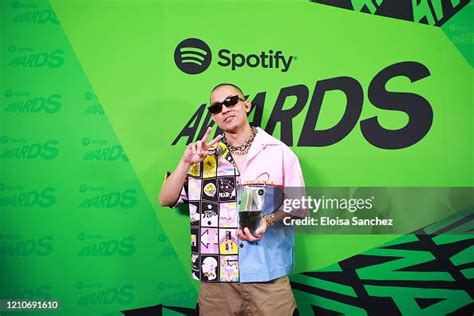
92,100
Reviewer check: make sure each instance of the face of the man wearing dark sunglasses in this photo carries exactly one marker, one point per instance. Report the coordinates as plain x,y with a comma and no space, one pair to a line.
230,119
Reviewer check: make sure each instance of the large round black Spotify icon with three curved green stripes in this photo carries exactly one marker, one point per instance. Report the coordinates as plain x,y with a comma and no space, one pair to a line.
192,56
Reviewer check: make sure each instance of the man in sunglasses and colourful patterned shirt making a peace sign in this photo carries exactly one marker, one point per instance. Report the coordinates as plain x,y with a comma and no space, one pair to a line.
242,272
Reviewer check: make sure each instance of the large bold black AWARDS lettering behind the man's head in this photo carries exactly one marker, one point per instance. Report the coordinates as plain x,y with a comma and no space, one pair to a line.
417,108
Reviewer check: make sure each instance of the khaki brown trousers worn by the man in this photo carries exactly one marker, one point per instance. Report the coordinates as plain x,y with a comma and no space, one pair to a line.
262,298
